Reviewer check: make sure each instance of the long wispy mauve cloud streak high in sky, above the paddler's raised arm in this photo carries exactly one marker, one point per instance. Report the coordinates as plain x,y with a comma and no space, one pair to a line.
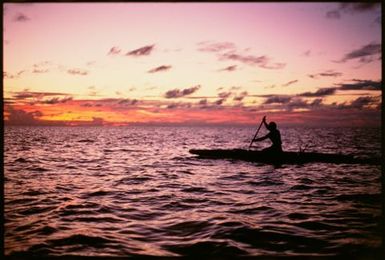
260,61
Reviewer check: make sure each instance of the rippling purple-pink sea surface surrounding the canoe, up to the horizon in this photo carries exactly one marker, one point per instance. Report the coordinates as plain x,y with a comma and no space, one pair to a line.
130,191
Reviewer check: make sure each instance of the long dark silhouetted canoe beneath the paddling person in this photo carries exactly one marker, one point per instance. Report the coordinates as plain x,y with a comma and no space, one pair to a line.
282,158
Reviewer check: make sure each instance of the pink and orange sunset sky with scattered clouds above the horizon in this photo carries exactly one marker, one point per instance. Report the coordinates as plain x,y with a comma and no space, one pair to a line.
300,64
